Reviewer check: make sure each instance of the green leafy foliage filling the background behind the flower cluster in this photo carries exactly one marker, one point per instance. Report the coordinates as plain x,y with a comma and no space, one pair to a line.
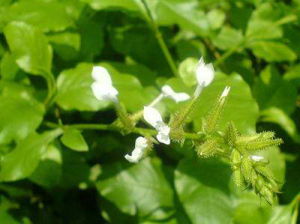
47,51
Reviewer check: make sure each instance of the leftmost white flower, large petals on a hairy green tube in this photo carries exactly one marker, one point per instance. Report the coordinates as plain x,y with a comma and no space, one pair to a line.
102,86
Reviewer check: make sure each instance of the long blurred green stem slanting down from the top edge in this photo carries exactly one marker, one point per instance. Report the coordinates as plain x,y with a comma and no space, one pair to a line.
160,40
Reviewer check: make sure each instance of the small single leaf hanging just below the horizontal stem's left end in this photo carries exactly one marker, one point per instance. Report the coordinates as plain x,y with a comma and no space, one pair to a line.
73,139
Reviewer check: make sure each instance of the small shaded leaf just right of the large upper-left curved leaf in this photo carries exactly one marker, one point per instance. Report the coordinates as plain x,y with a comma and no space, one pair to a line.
66,44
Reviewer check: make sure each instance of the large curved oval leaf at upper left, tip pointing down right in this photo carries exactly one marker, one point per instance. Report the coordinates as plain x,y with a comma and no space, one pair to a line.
30,48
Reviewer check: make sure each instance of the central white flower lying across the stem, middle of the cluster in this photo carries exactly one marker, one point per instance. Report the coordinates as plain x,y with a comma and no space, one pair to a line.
153,117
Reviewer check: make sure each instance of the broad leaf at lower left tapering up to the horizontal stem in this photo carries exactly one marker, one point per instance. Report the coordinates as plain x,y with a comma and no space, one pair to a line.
24,159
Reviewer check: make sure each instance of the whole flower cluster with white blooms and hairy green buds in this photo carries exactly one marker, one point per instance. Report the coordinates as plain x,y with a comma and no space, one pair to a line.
248,168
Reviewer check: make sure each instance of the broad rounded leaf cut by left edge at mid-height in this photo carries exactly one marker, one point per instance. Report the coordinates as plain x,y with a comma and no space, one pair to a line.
20,113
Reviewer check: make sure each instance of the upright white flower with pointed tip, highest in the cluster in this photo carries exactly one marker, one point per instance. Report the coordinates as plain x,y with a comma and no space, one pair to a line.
205,73
